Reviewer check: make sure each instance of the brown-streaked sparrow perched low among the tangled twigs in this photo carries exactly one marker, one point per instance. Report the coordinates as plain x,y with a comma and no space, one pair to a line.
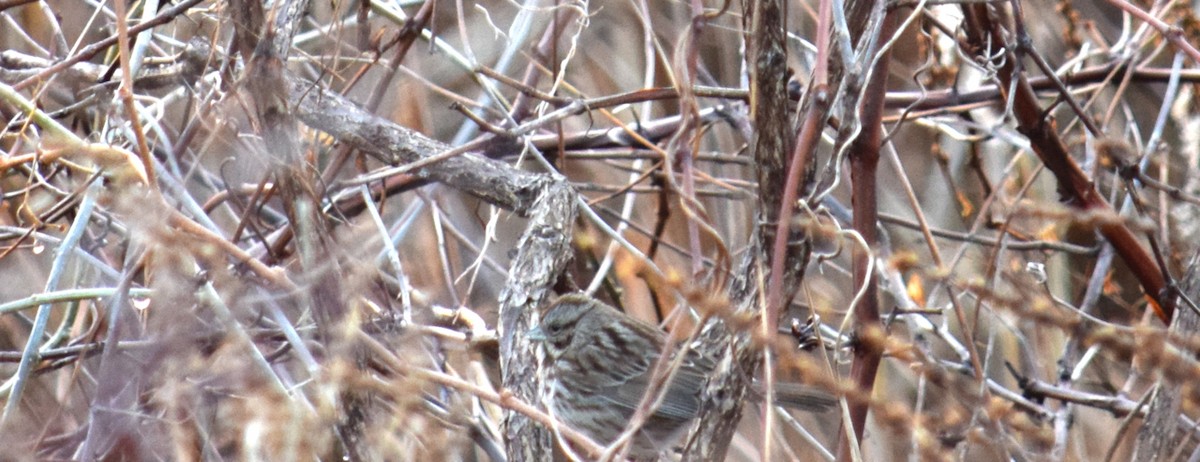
599,365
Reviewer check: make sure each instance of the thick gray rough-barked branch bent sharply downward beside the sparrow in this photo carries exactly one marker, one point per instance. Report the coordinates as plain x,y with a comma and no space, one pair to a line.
542,253
